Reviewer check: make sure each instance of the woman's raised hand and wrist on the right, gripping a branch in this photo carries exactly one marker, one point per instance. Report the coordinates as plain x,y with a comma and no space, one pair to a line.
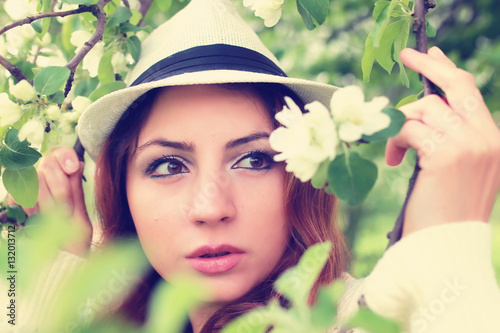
457,142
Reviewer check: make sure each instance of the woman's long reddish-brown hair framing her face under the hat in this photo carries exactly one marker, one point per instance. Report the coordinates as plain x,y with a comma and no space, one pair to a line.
311,212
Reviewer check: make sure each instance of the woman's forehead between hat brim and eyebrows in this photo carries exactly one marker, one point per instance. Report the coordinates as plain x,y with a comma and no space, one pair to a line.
205,112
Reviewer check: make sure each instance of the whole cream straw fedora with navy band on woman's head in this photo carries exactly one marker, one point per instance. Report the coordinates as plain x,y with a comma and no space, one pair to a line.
205,43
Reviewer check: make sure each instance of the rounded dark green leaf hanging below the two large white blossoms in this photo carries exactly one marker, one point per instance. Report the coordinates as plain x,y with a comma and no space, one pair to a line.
351,177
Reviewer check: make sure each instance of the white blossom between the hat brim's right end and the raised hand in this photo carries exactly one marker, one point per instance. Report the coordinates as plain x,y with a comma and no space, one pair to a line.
355,117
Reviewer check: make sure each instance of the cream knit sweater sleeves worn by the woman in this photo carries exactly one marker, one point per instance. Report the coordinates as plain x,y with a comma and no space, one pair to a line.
439,279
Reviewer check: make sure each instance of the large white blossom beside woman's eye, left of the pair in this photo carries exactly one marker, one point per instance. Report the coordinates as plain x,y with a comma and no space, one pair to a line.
306,140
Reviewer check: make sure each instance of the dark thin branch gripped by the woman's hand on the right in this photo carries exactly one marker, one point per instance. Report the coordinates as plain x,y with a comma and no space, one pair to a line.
419,28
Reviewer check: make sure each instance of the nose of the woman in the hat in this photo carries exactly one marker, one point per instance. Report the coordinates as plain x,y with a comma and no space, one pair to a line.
212,201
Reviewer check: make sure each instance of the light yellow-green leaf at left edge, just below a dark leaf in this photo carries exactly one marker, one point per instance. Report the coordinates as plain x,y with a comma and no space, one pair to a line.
22,184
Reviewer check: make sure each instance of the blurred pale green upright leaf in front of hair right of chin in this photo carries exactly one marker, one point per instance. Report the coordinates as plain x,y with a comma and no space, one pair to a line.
296,283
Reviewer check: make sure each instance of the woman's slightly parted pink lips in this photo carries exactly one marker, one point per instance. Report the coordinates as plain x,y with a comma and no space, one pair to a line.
214,259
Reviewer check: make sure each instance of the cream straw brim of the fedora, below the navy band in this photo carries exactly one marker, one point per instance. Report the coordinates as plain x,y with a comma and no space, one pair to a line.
100,118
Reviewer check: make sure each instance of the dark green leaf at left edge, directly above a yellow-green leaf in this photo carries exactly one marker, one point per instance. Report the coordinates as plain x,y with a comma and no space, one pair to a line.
15,154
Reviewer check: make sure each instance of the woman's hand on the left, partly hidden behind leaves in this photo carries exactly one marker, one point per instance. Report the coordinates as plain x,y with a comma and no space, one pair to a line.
60,183
